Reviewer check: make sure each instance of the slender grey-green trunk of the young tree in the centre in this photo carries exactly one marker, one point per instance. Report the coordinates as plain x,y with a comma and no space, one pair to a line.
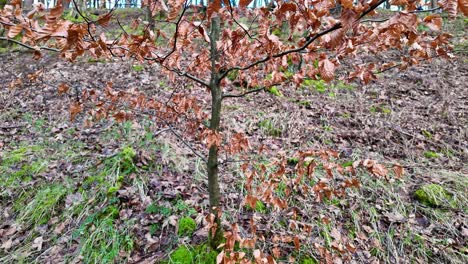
212,164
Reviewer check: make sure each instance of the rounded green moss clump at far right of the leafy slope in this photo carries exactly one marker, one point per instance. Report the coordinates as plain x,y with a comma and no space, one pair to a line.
434,195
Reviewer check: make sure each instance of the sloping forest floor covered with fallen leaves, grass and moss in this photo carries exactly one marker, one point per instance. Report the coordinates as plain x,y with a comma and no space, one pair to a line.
125,192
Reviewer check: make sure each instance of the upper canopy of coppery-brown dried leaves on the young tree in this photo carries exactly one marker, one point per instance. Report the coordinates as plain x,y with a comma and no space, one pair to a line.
254,41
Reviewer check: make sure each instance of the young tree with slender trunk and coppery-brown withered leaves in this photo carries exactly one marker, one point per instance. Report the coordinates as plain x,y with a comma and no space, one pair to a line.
238,49
